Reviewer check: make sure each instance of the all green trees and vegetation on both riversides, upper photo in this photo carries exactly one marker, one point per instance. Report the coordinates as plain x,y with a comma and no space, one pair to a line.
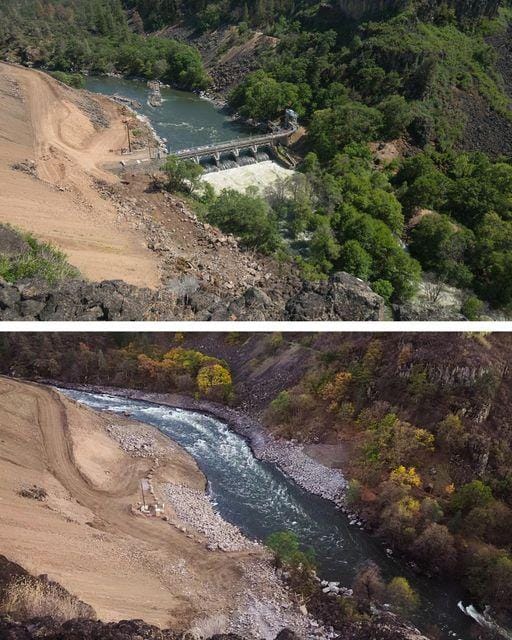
426,81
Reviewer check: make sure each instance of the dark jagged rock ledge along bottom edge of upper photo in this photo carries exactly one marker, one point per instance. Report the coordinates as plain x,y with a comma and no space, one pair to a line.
342,297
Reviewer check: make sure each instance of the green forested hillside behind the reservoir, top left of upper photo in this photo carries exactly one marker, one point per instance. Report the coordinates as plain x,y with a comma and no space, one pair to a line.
93,36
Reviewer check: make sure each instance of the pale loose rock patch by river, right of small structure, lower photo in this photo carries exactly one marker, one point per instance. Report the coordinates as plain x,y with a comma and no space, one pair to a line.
195,509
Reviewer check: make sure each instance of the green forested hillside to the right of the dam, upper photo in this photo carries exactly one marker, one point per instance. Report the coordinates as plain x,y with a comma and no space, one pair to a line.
424,73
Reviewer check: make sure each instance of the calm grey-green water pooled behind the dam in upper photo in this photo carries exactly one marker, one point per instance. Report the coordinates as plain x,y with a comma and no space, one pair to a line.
184,119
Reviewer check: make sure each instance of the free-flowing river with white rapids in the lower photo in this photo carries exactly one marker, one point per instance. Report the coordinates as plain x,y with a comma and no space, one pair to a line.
259,499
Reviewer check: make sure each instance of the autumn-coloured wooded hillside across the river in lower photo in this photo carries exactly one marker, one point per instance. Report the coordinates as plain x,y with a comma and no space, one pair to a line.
422,422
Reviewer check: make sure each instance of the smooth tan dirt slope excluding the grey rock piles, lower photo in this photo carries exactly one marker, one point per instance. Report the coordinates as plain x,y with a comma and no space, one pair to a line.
85,535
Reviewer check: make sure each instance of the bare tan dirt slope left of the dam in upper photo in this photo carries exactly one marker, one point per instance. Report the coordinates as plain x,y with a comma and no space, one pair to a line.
44,122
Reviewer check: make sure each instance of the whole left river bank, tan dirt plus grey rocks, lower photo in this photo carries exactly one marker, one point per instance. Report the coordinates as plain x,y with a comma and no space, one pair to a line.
186,568
